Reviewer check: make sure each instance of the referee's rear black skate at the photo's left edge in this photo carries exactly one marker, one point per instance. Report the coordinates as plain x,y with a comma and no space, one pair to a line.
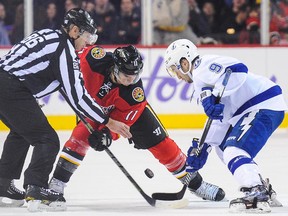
10,196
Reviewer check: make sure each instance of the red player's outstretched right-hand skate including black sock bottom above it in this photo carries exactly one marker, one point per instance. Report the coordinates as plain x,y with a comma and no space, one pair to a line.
203,189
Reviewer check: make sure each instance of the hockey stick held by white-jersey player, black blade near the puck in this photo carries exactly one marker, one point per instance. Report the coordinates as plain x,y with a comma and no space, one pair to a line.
179,195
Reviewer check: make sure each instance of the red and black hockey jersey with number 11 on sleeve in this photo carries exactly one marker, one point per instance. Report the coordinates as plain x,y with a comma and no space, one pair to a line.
122,103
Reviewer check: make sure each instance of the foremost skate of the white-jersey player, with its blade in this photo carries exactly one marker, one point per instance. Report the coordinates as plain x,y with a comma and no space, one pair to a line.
255,201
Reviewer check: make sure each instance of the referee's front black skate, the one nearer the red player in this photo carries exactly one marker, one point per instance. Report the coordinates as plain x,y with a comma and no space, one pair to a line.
42,199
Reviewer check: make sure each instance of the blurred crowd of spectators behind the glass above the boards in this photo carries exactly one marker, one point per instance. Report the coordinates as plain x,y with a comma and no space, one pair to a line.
119,21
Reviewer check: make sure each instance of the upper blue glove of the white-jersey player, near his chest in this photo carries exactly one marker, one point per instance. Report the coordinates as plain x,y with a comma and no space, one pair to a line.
212,109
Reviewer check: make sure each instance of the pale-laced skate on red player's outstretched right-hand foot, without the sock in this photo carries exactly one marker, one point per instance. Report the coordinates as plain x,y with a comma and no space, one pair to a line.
209,191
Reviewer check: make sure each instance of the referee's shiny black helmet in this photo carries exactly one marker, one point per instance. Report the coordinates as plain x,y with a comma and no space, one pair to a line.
80,18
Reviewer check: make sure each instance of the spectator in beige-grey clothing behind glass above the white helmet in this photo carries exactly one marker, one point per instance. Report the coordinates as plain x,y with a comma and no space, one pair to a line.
170,21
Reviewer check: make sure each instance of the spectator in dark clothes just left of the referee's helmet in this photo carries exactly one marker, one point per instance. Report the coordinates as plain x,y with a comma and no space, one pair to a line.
51,17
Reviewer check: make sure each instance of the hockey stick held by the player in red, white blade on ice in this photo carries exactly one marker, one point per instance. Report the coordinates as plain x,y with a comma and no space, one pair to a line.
149,199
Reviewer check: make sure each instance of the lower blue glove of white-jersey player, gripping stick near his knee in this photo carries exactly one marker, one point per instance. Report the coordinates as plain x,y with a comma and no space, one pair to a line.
196,160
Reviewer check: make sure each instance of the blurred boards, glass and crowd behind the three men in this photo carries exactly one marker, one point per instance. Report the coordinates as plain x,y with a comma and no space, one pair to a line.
254,31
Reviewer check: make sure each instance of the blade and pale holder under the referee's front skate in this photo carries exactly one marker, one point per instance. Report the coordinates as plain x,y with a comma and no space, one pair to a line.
39,206
